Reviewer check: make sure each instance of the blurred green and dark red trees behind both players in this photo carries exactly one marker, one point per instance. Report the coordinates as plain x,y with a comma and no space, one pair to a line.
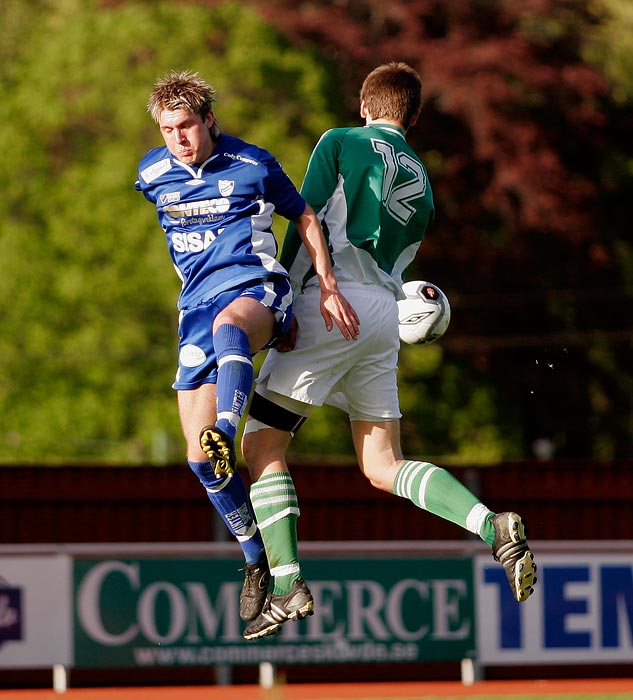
527,134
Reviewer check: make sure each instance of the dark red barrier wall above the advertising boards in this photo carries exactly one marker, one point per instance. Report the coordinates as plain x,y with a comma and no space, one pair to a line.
558,500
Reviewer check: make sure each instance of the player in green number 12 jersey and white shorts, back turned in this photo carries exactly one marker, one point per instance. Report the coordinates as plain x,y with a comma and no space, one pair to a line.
372,195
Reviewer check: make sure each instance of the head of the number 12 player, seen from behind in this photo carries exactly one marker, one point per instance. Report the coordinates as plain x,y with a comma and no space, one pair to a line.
393,91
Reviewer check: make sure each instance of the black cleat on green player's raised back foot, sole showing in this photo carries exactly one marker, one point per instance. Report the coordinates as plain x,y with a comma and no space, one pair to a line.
511,549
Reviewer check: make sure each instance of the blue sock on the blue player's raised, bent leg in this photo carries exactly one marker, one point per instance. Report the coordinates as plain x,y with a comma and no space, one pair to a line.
235,376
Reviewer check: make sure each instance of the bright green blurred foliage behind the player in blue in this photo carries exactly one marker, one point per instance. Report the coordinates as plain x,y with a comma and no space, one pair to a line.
88,318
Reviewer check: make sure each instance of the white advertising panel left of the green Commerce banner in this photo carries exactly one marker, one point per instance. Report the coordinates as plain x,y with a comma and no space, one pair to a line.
35,611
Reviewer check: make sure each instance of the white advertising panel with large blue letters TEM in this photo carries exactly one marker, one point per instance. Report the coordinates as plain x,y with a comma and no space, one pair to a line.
581,611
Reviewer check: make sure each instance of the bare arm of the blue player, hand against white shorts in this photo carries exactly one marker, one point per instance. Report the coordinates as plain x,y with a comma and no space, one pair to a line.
334,306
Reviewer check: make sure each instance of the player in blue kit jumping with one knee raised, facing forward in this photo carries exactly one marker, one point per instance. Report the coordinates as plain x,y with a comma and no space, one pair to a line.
215,196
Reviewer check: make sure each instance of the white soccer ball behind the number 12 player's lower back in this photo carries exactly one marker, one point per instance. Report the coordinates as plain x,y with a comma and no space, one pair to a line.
424,315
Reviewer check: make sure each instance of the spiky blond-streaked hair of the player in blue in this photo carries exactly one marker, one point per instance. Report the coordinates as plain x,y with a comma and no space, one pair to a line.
184,90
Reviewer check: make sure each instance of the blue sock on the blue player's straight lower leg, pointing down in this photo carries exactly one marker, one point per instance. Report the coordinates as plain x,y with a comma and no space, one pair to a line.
230,498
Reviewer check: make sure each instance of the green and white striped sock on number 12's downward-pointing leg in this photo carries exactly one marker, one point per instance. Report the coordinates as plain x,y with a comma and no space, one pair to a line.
276,508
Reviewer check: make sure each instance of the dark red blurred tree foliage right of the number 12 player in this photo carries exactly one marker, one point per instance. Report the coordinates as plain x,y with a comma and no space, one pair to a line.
529,153
